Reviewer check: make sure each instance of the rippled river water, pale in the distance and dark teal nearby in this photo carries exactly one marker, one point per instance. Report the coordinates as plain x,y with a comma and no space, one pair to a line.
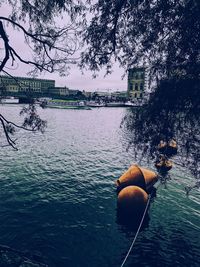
58,198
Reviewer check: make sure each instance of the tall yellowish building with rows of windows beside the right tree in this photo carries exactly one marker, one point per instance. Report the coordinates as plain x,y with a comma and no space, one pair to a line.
136,83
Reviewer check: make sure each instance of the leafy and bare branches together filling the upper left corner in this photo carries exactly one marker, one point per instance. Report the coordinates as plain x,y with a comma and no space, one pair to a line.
50,29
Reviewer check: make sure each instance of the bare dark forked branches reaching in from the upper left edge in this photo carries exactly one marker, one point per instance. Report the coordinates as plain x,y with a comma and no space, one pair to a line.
53,48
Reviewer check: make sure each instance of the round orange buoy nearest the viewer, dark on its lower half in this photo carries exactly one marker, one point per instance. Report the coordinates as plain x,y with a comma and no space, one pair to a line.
132,200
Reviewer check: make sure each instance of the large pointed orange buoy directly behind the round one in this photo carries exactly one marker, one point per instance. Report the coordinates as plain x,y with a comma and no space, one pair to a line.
137,176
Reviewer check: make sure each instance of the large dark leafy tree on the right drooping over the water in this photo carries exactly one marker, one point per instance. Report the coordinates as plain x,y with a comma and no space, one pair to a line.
163,35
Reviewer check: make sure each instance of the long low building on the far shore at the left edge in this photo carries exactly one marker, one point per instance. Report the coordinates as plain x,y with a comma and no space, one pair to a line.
25,85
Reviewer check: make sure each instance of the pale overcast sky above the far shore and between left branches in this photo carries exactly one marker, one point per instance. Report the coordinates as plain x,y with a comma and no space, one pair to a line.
75,80
